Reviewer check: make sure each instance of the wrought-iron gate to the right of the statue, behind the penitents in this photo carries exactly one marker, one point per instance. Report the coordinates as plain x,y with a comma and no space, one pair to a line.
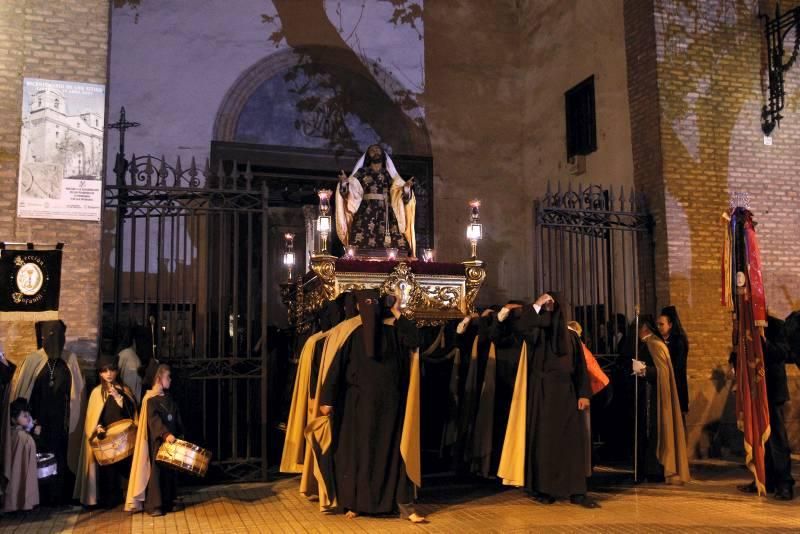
594,245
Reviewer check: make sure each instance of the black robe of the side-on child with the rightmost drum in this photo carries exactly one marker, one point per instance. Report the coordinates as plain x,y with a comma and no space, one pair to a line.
163,418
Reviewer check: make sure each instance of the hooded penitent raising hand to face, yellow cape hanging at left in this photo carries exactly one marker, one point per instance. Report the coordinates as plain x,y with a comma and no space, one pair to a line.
544,447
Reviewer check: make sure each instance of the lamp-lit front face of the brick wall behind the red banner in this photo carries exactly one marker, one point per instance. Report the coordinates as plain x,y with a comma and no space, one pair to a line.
710,92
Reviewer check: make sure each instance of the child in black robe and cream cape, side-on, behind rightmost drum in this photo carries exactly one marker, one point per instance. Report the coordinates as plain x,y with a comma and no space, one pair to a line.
151,485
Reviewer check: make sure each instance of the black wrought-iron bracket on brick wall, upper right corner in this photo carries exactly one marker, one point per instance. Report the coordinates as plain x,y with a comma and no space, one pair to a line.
775,31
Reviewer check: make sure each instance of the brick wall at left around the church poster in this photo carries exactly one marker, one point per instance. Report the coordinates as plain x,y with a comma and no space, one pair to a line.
59,40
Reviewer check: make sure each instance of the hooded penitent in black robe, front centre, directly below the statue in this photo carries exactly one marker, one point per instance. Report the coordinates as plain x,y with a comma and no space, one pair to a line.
373,387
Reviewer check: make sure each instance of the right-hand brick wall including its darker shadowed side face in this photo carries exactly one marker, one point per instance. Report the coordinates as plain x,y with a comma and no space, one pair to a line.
697,85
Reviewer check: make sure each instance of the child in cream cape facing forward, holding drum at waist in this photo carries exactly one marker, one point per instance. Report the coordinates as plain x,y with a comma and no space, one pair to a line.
109,433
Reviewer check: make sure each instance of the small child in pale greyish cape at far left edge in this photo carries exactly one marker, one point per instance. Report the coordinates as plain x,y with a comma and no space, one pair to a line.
22,491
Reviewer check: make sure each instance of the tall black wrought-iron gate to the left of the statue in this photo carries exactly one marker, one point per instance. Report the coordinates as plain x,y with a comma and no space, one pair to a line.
187,255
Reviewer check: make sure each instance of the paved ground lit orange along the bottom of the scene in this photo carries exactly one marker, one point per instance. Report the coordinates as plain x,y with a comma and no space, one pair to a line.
710,503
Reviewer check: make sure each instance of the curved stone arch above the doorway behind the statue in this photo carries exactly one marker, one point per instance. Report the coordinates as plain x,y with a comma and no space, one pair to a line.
409,137
